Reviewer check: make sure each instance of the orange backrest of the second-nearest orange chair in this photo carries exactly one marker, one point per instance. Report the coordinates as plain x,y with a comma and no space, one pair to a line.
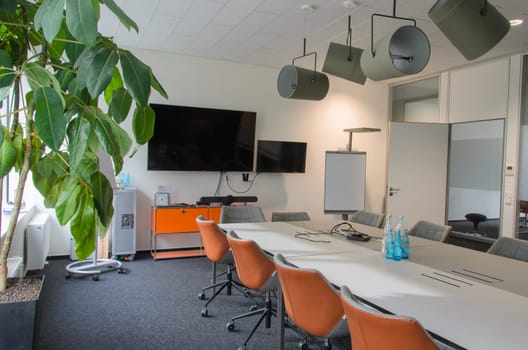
310,301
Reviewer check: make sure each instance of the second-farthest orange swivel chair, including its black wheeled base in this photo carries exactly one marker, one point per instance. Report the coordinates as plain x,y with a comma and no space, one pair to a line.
256,270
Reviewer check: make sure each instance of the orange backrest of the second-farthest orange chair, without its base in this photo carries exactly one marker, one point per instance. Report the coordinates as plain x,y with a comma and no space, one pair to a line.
254,268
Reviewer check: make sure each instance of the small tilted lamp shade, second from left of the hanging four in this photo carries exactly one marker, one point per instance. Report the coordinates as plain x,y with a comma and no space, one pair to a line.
343,61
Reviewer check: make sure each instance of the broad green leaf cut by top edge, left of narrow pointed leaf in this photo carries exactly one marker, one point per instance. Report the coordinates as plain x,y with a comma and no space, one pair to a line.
81,19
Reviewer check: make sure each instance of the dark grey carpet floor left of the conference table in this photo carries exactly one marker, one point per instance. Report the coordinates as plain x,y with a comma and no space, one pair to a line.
154,306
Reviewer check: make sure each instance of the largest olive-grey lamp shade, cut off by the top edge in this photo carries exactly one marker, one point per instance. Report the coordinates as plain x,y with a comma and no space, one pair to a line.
472,33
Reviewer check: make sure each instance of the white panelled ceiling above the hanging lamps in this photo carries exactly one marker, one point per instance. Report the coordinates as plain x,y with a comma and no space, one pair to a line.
270,32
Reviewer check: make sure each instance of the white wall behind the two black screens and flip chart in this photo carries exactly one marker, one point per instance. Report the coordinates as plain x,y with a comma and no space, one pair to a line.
207,83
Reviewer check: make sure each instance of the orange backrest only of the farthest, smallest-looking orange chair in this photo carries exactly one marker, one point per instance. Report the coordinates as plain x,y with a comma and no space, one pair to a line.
213,239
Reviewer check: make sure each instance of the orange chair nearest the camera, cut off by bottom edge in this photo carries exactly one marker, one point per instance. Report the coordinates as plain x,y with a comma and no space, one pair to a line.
372,330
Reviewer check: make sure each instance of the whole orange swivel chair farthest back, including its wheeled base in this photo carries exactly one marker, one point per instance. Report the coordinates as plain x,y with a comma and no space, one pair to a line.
217,250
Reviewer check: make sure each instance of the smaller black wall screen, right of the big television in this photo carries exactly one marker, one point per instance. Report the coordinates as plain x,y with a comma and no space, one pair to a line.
281,156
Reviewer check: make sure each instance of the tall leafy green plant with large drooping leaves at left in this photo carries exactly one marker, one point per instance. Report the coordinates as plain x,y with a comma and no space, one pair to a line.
55,67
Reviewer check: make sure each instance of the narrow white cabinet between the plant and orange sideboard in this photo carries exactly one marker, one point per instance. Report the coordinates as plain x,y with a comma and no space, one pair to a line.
124,223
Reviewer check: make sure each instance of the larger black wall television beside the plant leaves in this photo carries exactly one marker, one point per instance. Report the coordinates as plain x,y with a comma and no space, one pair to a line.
201,139
